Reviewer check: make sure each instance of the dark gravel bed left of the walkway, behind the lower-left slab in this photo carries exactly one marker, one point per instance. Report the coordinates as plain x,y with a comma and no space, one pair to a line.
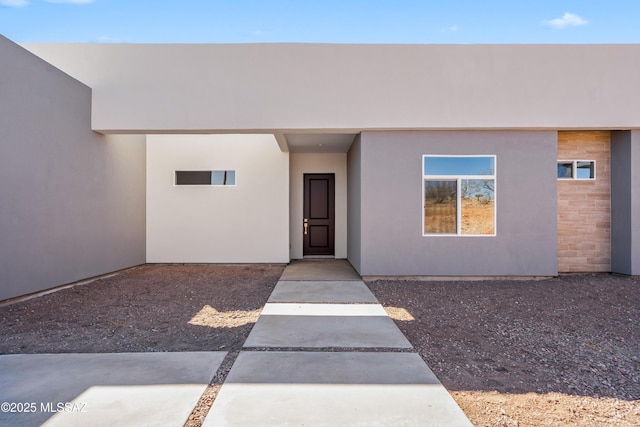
144,309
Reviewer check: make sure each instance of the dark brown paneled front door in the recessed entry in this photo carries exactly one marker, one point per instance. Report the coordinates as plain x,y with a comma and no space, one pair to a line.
319,214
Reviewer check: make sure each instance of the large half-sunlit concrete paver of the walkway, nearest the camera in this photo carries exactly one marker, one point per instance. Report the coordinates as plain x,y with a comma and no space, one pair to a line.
333,389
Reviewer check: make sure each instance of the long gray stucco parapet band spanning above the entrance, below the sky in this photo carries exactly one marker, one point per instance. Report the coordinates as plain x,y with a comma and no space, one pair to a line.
247,87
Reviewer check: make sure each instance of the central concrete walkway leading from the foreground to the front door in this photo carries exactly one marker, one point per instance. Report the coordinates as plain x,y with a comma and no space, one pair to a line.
325,353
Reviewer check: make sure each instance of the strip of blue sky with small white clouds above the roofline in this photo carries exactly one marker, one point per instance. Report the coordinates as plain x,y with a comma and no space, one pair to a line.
328,21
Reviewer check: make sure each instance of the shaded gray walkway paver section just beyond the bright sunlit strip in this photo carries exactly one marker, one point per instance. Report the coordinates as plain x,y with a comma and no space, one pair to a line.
316,291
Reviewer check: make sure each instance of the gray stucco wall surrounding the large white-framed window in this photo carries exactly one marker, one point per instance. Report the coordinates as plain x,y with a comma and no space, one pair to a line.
391,194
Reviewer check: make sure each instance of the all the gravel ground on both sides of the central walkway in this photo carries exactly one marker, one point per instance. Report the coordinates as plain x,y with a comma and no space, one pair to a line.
558,352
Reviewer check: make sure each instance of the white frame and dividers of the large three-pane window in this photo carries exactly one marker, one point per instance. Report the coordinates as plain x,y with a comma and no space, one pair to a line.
458,179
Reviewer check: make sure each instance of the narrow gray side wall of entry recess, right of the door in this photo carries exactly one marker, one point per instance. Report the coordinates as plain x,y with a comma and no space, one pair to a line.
354,190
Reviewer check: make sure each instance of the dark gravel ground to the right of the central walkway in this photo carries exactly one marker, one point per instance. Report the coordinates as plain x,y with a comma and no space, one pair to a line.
563,351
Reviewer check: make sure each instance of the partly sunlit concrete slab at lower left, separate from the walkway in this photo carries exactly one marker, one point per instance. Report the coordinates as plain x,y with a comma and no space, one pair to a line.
126,389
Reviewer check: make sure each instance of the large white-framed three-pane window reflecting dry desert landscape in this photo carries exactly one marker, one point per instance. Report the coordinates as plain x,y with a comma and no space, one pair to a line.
459,195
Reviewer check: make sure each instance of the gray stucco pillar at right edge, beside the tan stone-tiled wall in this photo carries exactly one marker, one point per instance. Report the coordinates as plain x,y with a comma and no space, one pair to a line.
625,202
